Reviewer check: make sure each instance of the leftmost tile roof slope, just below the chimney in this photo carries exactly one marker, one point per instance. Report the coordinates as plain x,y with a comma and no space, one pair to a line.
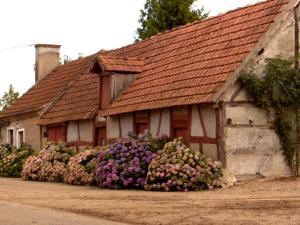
47,89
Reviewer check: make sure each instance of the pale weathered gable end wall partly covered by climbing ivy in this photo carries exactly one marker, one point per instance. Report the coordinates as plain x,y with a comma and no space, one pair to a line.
250,141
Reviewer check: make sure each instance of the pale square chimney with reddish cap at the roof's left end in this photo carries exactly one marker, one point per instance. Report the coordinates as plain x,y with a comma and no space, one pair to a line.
46,59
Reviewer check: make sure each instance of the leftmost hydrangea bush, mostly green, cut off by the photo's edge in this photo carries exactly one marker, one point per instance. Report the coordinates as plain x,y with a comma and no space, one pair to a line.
12,160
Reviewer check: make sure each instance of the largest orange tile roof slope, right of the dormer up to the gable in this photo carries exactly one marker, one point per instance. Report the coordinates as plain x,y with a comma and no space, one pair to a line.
189,64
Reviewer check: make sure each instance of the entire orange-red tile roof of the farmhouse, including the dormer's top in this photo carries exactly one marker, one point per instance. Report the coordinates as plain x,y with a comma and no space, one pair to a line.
183,66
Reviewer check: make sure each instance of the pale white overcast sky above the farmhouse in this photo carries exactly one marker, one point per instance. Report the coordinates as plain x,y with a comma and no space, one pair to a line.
79,26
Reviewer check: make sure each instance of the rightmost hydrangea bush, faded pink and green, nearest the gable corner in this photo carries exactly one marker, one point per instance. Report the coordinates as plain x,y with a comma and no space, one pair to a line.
178,168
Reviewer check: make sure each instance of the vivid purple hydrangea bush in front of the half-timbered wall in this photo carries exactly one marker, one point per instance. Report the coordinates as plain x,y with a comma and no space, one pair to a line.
125,164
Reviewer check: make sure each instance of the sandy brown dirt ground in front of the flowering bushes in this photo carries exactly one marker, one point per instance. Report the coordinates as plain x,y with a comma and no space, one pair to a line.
257,202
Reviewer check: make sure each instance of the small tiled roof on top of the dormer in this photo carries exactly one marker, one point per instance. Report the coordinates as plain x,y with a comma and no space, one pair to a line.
121,64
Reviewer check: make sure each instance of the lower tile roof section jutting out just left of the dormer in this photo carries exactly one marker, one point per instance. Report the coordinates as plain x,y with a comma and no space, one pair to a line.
80,101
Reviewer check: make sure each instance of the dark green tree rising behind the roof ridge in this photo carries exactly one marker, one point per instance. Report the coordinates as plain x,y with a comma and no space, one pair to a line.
162,15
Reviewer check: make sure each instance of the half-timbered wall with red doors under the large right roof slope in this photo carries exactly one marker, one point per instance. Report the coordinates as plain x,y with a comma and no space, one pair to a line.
197,124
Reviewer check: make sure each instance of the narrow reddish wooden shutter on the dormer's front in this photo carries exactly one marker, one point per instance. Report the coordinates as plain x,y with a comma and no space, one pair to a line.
105,92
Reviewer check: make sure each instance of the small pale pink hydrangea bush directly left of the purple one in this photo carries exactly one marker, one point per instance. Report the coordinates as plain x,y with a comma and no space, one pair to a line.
81,167
